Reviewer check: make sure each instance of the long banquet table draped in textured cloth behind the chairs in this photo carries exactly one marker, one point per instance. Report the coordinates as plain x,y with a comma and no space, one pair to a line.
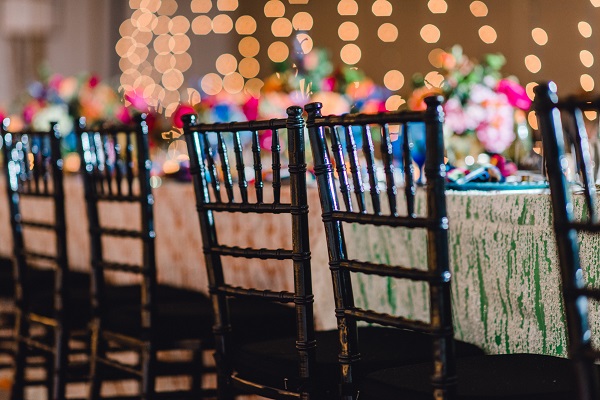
506,281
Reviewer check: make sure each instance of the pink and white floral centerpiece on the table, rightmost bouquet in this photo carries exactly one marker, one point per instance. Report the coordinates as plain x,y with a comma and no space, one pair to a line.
481,109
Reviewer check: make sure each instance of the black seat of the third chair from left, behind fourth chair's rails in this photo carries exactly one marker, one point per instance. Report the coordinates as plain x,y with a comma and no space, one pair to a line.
274,363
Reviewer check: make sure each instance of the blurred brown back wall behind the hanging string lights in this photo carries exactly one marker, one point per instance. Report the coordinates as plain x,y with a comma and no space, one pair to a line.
82,36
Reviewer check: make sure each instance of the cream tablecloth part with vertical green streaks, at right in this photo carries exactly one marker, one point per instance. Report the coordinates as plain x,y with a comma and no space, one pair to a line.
506,281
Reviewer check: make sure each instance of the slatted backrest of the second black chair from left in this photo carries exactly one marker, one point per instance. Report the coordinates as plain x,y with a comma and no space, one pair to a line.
116,169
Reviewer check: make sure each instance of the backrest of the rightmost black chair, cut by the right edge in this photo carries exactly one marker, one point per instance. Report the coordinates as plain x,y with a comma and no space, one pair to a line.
576,294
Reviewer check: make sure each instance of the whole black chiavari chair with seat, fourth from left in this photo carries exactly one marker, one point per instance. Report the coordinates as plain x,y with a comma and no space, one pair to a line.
442,367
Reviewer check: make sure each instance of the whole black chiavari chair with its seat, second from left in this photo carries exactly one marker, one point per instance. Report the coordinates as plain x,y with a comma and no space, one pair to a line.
145,318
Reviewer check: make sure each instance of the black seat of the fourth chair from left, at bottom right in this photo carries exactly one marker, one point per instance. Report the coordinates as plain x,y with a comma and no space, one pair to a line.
496,377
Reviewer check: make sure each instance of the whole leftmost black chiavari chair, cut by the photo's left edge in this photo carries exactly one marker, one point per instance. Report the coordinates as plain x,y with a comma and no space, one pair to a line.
46,317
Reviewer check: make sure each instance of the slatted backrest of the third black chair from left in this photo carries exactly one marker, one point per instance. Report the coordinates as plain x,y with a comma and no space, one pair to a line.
215,193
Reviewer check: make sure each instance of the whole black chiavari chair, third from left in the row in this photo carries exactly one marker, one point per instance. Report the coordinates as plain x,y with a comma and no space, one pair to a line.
241,353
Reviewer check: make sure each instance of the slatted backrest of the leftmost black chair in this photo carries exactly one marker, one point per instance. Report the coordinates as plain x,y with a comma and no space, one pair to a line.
33,169
